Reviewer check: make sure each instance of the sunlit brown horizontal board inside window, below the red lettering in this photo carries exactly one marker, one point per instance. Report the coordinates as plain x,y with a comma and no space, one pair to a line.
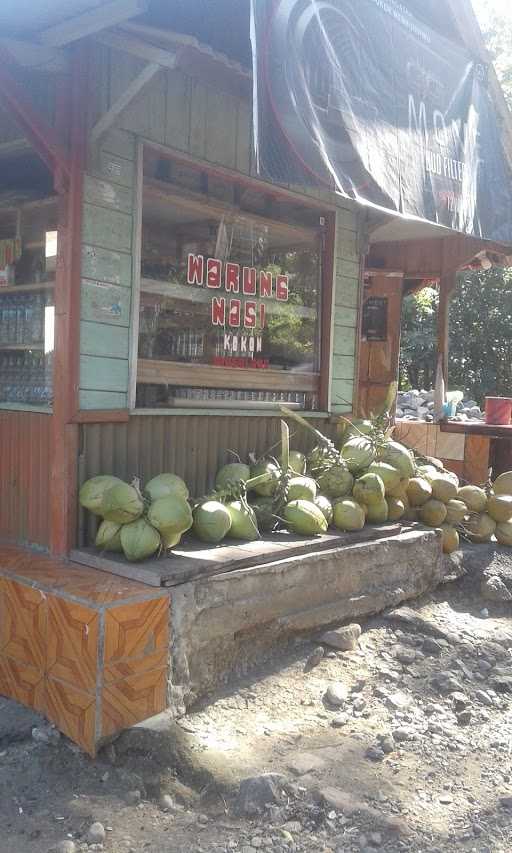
208,376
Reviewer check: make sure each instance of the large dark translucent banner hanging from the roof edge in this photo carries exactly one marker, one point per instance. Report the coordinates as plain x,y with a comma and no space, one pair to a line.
365,99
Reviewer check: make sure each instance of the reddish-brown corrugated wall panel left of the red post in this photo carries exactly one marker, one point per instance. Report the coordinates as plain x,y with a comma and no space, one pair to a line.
25,458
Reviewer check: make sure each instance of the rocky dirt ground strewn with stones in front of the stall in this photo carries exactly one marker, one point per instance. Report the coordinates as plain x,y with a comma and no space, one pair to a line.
417,756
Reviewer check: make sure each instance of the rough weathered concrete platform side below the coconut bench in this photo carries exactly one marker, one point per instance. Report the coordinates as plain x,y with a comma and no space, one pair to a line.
223,624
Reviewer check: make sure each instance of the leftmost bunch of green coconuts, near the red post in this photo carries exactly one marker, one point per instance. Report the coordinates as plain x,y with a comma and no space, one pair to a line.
138,523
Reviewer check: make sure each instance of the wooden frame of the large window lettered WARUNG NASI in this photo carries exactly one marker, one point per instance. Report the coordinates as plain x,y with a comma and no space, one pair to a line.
210,375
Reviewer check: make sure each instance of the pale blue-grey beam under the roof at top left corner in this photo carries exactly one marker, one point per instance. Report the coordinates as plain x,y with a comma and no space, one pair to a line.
106,15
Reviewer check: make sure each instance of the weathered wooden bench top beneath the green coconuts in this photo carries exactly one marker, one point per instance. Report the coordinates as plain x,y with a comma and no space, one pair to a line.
190,560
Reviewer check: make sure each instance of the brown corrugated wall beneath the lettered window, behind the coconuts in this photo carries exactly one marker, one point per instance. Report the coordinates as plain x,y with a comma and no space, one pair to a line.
192,446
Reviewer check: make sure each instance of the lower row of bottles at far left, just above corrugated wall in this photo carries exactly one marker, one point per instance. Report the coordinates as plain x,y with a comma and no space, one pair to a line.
26,378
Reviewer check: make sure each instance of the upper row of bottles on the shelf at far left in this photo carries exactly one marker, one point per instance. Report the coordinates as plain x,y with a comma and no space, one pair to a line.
22,318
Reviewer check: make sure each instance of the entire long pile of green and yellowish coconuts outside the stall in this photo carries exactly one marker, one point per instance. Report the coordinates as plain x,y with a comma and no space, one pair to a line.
364,477
